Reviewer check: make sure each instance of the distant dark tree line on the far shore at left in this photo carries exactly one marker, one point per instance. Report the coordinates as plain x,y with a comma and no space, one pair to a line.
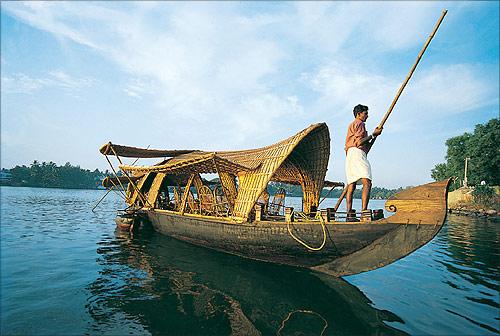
49,175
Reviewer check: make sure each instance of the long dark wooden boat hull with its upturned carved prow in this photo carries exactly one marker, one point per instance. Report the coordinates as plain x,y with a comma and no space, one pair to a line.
350,248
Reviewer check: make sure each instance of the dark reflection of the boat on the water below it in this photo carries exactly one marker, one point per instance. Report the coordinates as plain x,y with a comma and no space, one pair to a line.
157,285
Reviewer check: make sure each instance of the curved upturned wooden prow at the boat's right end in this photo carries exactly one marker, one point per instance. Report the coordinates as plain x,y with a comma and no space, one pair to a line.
419,215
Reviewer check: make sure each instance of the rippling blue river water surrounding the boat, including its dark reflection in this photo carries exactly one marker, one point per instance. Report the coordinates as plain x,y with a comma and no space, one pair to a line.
66,270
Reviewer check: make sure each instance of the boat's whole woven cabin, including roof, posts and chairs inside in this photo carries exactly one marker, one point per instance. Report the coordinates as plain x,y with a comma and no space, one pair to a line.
242,190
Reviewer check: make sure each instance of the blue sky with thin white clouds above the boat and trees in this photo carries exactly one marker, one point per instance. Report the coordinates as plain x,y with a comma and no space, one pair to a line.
238,75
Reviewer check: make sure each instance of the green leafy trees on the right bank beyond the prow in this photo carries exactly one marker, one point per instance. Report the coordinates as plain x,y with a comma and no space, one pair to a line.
482,149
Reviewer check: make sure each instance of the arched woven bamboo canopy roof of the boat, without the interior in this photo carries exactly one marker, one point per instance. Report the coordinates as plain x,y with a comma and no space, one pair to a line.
302,159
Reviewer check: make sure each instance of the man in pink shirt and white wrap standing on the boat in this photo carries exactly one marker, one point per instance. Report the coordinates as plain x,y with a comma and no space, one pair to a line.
357,167
